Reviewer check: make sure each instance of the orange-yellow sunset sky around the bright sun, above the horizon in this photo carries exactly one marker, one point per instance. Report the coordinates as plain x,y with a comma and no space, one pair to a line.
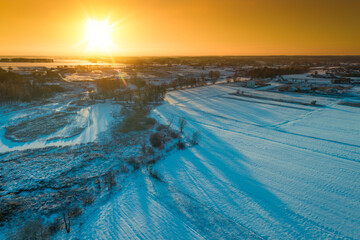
184,27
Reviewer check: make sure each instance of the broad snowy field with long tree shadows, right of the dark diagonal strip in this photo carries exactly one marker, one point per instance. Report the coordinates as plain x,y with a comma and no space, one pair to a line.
282,172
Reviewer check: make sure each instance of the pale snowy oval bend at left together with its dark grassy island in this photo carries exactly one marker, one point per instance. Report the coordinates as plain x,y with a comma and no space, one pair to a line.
84,125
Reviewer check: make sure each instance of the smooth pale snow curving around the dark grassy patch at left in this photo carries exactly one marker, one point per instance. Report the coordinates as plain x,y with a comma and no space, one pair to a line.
93,119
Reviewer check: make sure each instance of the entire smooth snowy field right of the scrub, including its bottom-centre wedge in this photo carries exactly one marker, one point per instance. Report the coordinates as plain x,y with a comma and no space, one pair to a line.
262,169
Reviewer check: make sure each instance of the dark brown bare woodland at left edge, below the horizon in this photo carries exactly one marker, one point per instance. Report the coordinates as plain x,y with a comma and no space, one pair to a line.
13,87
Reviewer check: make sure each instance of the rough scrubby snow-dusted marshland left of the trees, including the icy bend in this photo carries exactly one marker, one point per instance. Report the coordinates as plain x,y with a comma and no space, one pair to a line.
57,153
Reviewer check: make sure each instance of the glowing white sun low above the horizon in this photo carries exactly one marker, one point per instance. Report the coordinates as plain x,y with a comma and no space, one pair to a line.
98,35
